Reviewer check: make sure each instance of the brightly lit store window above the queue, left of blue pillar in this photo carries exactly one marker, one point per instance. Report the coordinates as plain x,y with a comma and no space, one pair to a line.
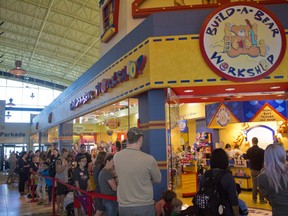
106,125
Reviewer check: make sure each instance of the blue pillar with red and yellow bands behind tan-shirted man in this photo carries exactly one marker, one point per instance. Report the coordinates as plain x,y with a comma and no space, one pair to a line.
152,122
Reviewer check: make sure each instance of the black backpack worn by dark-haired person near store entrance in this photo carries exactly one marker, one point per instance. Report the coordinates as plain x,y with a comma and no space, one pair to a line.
207,200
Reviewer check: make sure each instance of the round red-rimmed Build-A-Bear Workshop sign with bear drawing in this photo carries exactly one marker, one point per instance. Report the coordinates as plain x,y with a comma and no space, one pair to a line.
242,42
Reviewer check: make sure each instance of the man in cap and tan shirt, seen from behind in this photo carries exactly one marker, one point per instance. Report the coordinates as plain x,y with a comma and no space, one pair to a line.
136,171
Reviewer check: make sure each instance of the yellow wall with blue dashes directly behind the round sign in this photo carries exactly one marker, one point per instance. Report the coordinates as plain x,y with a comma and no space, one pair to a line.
182,60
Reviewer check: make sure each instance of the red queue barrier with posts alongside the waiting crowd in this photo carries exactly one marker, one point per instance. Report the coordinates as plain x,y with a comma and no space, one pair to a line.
90,194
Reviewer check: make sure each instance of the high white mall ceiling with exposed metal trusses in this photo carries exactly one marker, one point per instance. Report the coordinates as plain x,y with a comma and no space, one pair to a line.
56,40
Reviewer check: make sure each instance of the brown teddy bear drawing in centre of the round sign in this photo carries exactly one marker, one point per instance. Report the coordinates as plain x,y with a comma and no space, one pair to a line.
243,40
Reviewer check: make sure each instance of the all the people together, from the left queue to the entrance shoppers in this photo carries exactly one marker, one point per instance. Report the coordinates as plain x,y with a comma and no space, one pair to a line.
128,173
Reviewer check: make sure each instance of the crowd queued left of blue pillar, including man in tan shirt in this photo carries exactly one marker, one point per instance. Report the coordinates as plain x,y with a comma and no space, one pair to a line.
92,171
